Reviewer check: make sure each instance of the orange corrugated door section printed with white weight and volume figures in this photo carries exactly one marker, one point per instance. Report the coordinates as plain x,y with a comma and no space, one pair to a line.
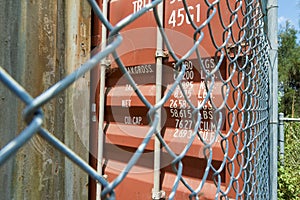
179,127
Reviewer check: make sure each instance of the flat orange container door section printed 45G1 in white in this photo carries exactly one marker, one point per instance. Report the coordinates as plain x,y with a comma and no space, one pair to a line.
180,32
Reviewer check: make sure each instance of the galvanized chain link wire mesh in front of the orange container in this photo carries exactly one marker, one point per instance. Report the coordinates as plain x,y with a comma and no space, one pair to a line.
244,107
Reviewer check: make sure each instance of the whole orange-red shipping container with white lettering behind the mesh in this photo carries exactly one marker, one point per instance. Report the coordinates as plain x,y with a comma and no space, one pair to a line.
125,119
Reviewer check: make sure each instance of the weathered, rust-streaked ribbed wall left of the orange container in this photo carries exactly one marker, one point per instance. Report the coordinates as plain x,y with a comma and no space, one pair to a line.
43,41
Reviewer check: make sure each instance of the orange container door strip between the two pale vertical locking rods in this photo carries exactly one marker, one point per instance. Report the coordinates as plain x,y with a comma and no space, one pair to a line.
125,114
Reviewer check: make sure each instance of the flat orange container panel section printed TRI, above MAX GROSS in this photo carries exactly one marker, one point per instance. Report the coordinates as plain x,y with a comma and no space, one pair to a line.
139,37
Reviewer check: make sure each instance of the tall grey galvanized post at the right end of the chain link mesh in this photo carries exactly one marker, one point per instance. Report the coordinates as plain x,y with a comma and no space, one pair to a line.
272,15
